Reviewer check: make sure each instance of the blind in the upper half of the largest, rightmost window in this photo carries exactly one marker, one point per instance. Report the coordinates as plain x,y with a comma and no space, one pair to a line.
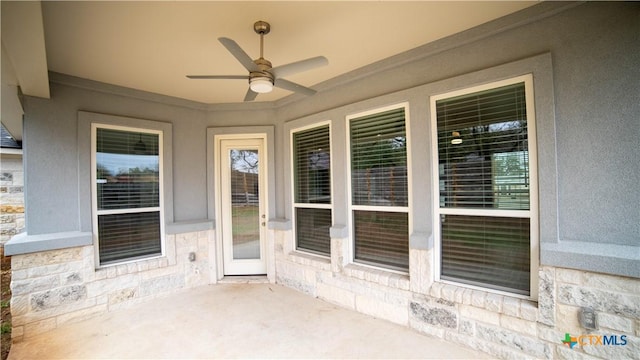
487,167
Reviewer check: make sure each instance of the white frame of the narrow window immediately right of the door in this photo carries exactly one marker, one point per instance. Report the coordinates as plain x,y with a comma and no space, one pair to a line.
295,204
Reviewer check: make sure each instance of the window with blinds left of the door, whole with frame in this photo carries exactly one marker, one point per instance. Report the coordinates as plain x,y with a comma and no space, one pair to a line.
127,188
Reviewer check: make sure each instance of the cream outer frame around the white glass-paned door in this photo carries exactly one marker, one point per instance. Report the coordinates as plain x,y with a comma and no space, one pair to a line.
214,137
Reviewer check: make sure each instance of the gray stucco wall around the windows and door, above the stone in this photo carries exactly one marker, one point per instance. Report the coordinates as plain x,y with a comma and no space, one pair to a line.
591,215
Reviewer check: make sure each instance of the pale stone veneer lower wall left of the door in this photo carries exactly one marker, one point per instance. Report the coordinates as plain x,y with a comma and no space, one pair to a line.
56,287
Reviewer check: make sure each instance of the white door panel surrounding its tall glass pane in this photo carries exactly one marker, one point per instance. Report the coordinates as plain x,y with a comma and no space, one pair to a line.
242,190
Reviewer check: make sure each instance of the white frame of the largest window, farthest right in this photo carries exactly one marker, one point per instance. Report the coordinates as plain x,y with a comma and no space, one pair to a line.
532,213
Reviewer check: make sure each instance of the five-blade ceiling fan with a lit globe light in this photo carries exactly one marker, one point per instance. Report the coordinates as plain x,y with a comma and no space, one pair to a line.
262,76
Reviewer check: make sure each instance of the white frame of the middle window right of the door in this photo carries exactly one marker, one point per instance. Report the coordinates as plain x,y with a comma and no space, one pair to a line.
400,209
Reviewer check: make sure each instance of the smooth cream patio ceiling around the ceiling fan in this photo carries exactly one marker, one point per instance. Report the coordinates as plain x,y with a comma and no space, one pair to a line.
152,45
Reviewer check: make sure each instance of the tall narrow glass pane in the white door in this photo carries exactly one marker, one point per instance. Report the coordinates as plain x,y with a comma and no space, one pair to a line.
245,204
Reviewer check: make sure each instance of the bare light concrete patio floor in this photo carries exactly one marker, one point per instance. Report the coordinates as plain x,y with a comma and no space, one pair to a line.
236,321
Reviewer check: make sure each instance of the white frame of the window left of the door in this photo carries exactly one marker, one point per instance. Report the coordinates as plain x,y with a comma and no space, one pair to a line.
94,191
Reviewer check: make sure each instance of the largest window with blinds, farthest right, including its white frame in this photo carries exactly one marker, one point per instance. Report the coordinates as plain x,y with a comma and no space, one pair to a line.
487,202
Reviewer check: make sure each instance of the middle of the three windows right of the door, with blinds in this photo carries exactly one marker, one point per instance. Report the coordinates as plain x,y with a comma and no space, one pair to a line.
379,188
